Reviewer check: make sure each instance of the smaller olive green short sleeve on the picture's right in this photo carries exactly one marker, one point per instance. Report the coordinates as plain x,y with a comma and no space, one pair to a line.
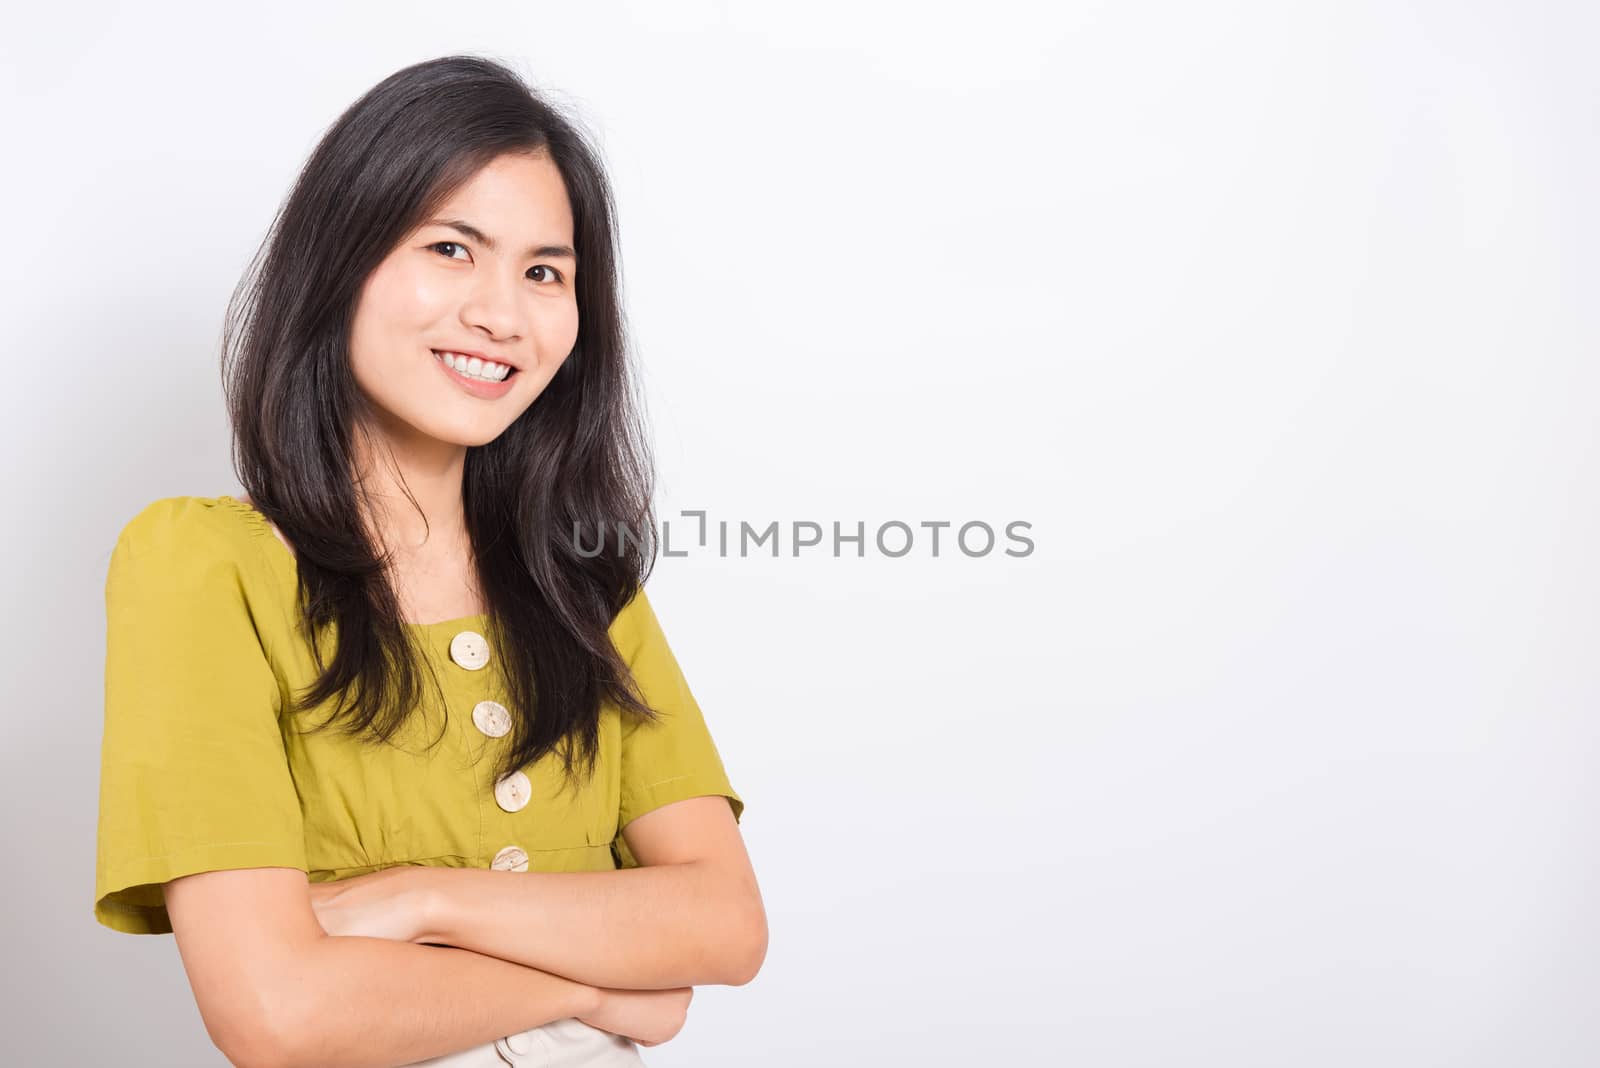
673,759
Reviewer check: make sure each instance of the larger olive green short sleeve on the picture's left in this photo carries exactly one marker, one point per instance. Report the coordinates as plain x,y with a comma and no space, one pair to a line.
194,775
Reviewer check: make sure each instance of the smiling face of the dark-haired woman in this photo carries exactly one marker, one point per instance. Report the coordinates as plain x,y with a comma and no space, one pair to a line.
490,276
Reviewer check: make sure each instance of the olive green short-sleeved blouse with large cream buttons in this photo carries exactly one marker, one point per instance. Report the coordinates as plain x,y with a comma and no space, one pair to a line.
202,768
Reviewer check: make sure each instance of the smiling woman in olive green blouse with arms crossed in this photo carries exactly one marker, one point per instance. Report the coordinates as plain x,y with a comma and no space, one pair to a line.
431,405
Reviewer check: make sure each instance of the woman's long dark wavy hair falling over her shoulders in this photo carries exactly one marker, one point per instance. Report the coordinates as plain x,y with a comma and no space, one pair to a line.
537,500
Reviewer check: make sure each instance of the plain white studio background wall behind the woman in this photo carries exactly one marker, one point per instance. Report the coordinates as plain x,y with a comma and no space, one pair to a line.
1274,321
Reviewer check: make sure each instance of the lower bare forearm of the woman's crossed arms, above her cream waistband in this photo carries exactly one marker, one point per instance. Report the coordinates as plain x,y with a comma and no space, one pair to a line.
375,1003
